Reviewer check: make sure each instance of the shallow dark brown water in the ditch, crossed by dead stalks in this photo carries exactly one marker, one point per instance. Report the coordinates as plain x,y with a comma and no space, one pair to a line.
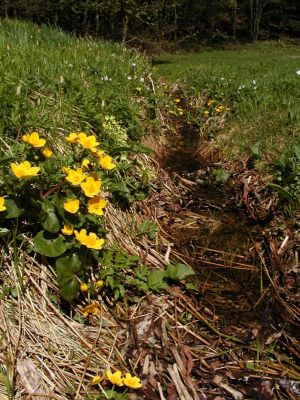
213,234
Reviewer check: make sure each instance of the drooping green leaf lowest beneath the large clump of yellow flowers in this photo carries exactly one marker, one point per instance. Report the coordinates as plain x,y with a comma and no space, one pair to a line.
67,269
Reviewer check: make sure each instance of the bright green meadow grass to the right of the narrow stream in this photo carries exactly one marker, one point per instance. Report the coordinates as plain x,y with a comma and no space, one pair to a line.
260,85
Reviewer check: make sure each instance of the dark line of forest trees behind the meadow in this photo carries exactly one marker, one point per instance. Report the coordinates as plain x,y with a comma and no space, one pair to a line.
163,19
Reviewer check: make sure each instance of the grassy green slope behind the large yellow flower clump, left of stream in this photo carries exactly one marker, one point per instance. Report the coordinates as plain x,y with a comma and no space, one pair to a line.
54,82
